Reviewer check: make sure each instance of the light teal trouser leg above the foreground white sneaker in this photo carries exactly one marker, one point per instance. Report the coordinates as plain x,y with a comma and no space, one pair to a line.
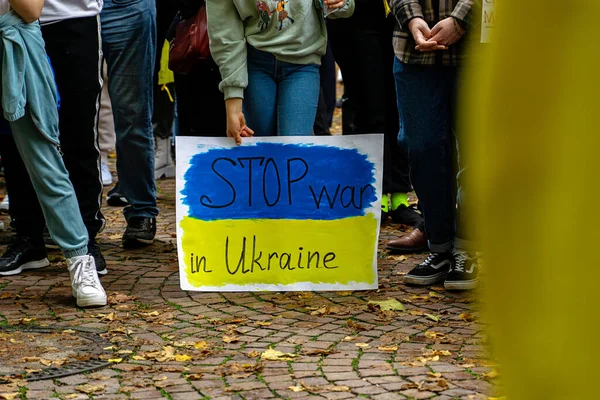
52,186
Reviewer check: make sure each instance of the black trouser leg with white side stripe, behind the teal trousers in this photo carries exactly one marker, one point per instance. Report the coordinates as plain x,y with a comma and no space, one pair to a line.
74,49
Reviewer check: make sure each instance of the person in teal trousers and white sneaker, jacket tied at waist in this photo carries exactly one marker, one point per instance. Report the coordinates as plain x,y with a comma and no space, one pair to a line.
29,103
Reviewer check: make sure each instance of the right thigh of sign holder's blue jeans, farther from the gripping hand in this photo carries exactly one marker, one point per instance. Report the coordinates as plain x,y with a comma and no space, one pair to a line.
297,98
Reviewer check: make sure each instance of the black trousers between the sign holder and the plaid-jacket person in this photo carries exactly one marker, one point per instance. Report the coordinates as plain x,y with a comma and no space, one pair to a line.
369,86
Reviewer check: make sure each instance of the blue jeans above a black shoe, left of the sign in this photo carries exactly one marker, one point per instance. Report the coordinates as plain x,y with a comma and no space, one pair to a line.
129,45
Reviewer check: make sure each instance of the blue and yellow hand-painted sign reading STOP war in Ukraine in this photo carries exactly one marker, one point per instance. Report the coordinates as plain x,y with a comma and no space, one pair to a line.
279,213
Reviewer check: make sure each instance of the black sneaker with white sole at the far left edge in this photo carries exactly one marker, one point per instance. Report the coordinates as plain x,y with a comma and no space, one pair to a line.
22,255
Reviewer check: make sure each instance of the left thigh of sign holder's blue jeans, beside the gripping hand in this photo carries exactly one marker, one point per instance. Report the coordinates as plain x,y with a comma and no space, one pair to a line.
260,96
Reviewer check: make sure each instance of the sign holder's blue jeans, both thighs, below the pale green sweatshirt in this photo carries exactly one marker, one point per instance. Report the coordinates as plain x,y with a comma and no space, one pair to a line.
281,98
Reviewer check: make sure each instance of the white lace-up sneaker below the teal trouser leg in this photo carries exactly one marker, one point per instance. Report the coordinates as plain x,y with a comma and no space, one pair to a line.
86,286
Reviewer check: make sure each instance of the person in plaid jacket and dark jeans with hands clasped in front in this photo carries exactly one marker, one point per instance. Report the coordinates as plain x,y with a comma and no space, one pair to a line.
430,50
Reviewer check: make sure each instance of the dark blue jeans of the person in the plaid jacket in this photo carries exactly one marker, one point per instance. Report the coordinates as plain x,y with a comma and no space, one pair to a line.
425,95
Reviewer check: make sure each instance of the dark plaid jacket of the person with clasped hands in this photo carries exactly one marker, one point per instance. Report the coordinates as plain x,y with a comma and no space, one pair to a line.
406,10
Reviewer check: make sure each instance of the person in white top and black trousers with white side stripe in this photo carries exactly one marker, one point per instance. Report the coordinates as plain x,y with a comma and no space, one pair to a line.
71,33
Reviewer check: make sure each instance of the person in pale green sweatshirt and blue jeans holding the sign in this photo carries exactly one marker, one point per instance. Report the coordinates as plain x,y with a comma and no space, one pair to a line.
269,53
